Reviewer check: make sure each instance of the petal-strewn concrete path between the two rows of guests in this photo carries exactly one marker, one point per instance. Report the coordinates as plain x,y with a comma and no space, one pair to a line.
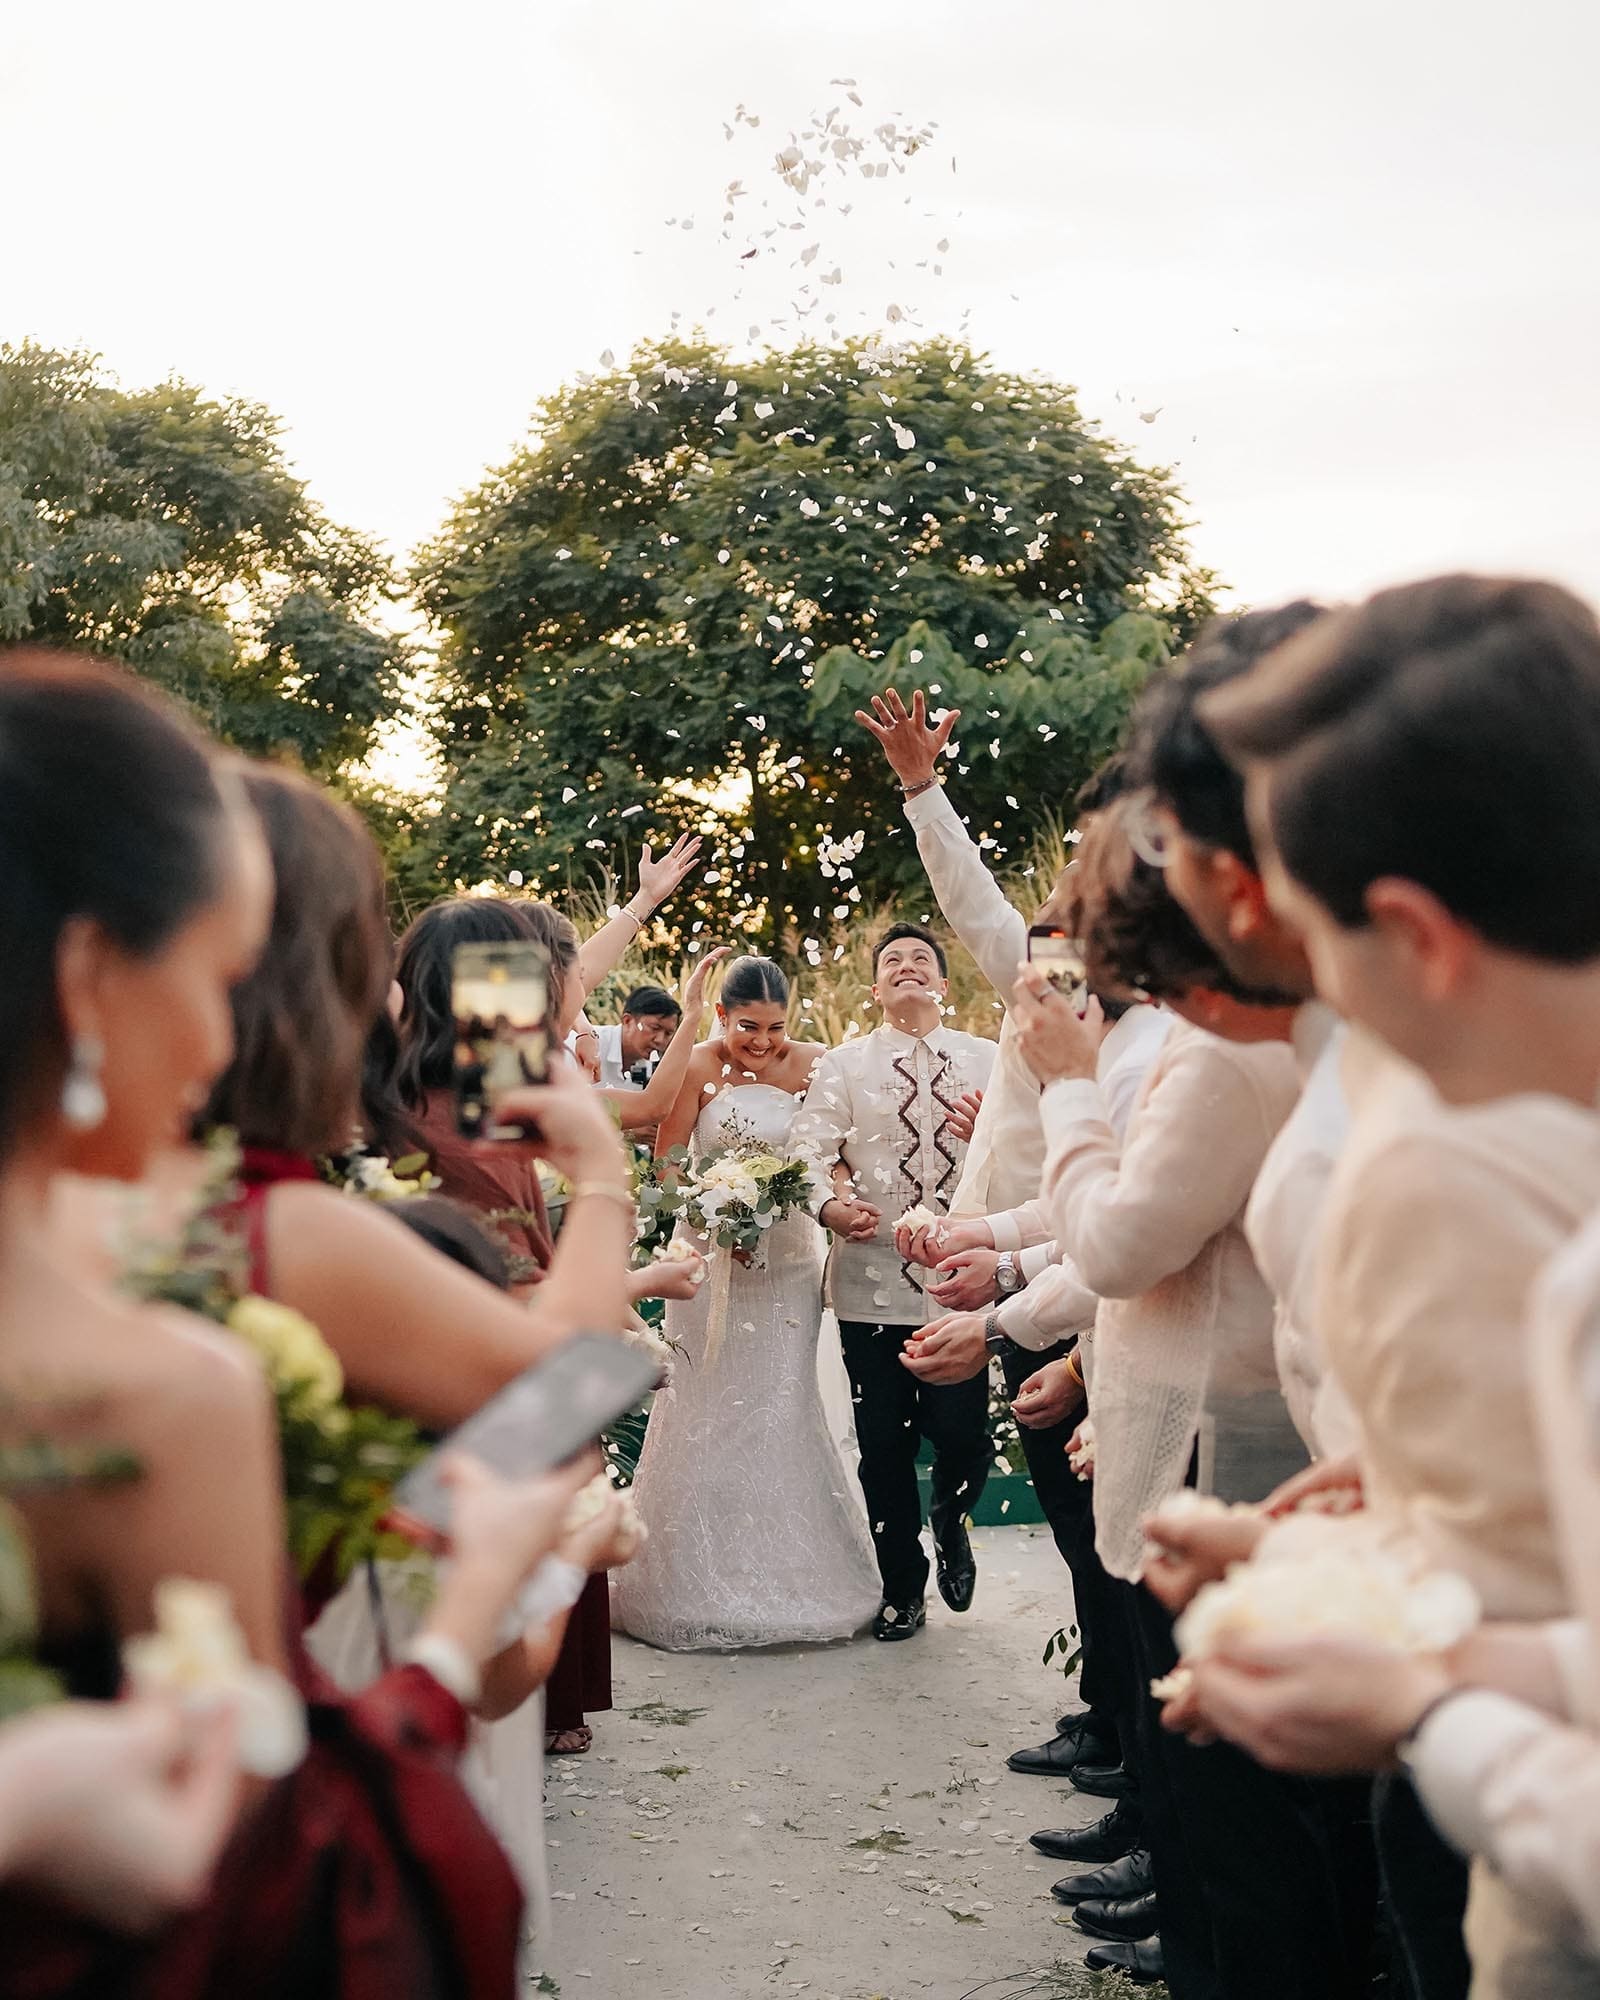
827,1821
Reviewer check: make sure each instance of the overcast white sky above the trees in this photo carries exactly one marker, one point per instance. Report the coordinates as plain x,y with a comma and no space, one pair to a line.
1349,253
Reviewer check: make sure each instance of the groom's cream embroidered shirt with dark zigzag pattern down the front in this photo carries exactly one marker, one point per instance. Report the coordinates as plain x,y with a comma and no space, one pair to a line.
881,1107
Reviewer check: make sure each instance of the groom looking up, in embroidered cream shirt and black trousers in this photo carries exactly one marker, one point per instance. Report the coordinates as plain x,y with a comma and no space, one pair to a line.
879,1129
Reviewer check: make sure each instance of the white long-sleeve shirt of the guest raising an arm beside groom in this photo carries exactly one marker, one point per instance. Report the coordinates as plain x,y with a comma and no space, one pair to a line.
1007,1155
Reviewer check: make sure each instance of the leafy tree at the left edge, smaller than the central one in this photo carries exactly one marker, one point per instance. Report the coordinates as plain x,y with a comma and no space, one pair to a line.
165,529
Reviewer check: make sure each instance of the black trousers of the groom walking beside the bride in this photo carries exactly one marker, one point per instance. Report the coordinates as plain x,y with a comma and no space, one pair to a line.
895,1413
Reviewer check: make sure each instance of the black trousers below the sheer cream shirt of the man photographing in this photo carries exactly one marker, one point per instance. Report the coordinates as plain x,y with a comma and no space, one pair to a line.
1249,1891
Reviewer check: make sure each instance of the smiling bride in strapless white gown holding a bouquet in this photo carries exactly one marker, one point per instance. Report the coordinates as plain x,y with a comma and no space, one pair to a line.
757,1537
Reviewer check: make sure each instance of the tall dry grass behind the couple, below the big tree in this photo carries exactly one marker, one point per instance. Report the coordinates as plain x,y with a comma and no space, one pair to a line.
833,997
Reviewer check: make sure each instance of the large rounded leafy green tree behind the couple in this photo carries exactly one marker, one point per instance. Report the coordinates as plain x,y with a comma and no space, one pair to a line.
667,607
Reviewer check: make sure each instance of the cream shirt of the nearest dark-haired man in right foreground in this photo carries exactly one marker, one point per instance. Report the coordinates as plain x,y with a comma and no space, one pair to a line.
1435,1229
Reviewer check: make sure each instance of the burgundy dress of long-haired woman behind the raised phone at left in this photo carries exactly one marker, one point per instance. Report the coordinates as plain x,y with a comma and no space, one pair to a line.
493,1179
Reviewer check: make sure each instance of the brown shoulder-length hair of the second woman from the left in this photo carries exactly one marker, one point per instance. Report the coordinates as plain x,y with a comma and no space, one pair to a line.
305,1015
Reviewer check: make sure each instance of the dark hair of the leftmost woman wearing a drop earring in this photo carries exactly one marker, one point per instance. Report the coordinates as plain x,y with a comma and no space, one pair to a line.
113,811
